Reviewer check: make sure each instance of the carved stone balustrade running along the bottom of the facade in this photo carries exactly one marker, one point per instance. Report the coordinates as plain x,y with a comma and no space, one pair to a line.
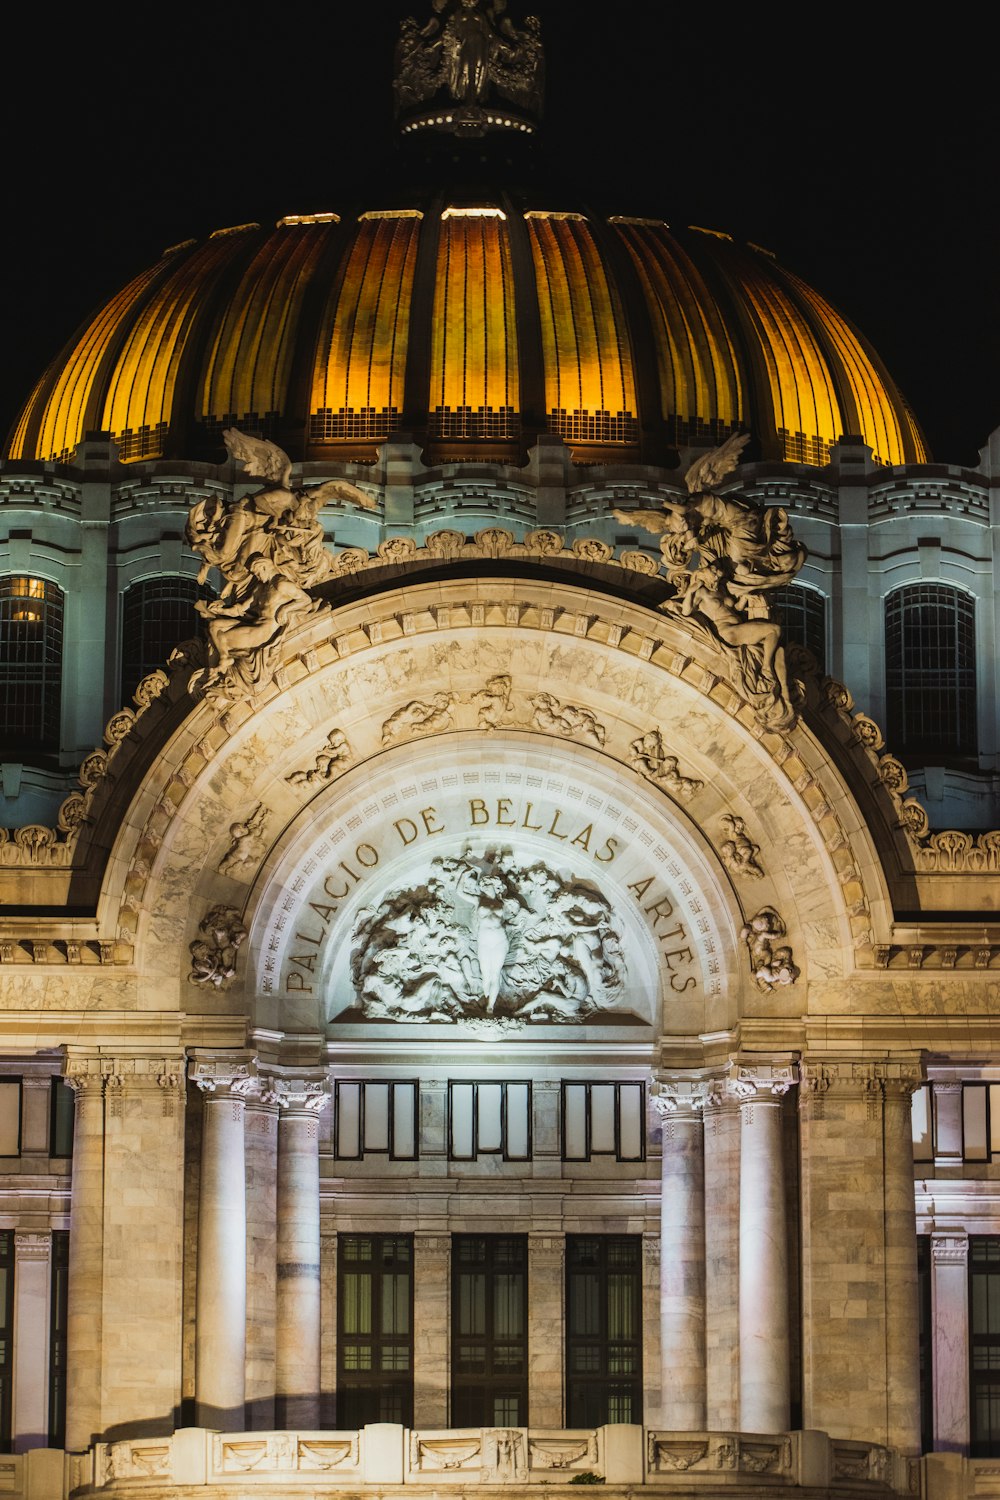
388,1456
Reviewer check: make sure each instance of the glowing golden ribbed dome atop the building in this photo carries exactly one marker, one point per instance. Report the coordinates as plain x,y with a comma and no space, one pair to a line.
473,328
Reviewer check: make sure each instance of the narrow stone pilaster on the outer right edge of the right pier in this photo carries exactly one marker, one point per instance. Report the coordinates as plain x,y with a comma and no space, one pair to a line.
903,1357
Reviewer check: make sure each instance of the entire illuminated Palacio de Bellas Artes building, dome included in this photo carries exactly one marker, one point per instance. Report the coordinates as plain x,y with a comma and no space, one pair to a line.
493,1010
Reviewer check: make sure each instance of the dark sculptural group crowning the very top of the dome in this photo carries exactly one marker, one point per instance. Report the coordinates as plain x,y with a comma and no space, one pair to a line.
470,49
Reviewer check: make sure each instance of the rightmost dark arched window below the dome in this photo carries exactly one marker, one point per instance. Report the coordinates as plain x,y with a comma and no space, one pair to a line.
932,671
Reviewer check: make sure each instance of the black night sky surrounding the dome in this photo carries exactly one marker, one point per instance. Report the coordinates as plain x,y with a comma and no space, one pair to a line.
846,140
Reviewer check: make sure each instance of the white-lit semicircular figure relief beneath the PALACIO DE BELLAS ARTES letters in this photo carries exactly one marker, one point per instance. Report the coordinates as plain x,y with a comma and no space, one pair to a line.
488,937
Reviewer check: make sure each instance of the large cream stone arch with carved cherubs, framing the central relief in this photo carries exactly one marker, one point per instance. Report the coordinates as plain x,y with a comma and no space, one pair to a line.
506,674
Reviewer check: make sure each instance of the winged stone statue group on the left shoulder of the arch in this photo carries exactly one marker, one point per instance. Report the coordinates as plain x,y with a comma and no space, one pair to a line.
271,550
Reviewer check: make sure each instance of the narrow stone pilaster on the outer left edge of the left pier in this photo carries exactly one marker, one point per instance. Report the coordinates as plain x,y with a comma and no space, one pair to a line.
86,1258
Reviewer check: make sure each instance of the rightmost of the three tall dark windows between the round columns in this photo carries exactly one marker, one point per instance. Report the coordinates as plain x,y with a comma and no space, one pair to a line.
603,1330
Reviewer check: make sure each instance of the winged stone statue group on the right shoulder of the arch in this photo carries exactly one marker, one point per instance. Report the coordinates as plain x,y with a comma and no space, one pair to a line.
725,559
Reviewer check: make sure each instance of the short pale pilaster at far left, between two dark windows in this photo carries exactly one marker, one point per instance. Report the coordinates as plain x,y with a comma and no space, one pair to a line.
32,1288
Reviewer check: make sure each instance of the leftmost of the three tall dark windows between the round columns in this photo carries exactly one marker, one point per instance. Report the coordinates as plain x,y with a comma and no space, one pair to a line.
376,1330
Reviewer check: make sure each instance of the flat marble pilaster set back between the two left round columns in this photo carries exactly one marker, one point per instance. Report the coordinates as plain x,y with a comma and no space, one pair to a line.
262,1258
